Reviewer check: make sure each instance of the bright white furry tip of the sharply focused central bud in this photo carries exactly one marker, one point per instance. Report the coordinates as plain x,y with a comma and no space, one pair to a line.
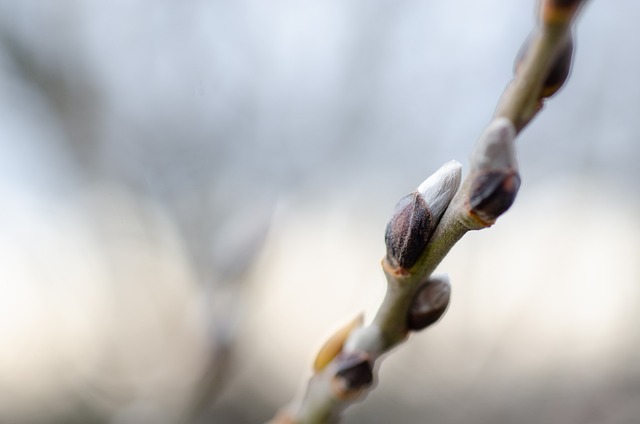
438,190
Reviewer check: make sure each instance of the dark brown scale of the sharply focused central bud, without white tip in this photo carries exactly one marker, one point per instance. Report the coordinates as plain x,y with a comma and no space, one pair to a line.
408,231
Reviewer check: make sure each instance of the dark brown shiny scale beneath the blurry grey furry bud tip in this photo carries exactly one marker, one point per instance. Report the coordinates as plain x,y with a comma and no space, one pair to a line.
493,193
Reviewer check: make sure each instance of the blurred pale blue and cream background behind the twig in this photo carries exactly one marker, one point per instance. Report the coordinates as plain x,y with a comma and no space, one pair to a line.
193,196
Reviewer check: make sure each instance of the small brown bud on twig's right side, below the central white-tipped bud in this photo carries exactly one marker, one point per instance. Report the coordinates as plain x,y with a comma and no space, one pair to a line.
430,303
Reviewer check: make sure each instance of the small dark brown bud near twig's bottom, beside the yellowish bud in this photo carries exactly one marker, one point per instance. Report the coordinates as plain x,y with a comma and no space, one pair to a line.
354,373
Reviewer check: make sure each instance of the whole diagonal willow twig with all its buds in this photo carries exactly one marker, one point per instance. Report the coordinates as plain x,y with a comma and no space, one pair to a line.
427,223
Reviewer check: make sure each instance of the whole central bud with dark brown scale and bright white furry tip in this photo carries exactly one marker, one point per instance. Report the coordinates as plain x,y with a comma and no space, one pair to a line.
416,216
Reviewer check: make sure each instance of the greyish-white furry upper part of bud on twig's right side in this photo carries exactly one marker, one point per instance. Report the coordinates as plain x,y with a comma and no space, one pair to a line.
495,148
